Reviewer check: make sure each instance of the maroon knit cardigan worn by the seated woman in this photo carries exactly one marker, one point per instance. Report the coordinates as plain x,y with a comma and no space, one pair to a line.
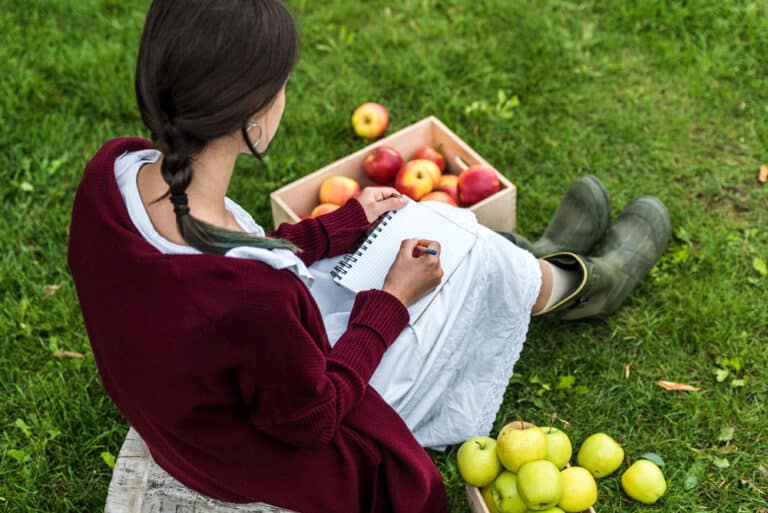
224,368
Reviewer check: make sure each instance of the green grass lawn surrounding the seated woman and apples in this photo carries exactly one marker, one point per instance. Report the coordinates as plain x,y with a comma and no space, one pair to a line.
652,96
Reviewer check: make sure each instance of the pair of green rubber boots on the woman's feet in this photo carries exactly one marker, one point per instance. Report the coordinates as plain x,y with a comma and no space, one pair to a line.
612,258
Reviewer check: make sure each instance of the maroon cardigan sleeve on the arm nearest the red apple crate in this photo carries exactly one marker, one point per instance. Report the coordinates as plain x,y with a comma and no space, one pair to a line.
328,235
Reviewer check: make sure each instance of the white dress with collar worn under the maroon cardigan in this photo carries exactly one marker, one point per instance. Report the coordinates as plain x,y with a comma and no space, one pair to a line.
445,375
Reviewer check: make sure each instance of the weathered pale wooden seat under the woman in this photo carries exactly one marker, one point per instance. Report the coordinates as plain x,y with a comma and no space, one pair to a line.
139,485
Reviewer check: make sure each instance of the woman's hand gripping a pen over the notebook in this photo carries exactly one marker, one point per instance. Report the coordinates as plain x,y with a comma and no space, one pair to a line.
415,271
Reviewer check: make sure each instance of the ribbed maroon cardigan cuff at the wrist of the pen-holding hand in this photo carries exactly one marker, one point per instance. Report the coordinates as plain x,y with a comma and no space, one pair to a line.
382,313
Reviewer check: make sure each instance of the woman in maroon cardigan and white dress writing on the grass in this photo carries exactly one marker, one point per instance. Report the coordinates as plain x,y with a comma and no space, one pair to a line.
250,376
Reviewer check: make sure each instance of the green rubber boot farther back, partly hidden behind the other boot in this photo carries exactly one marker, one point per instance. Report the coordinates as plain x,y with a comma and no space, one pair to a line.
580,220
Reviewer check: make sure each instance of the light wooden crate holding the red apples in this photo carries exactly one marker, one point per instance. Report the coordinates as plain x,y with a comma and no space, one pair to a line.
497,212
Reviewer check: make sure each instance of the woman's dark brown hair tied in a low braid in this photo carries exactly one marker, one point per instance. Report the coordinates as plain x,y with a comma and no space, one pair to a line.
204,69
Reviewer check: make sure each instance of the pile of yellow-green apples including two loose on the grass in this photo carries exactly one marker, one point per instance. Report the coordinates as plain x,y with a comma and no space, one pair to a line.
527,468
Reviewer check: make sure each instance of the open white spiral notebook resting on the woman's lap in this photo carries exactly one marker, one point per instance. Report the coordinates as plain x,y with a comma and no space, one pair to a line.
367,267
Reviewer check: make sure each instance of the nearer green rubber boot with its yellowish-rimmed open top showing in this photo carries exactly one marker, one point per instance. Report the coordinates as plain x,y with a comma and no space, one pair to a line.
621,259
